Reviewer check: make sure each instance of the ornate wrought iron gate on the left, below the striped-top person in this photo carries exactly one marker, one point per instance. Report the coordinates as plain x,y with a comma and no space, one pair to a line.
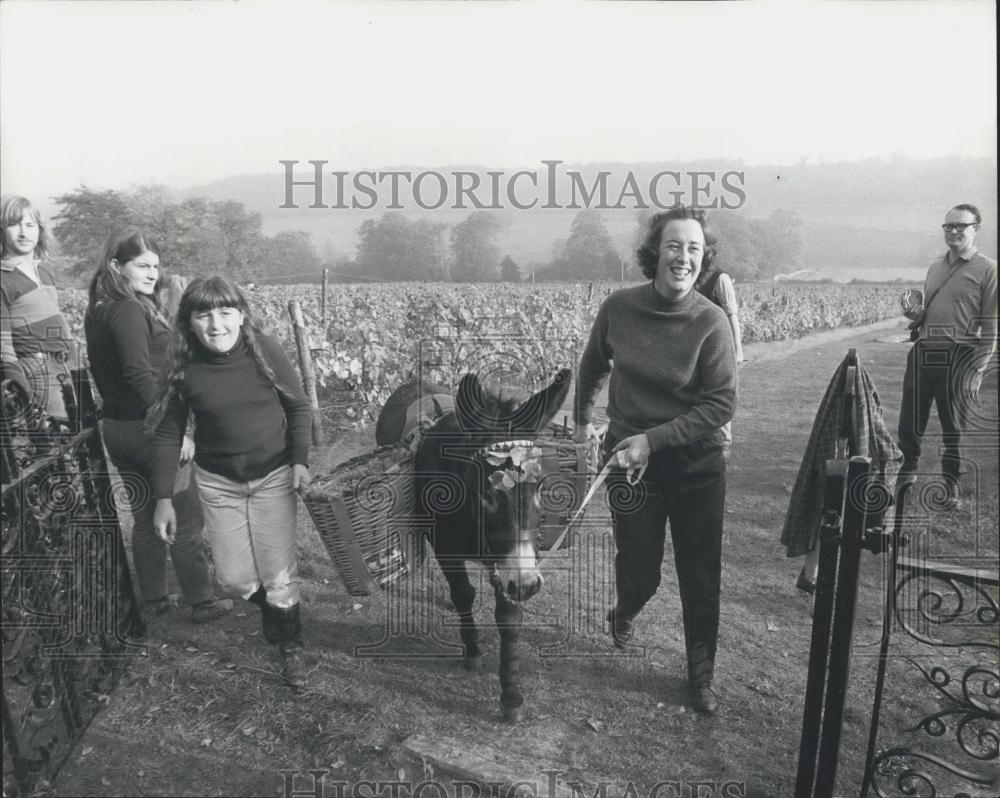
70,622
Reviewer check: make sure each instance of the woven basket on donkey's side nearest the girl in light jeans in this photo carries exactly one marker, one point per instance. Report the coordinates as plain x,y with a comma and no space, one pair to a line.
363,511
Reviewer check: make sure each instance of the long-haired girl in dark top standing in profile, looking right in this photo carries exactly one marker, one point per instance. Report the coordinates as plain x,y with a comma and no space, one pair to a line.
127,332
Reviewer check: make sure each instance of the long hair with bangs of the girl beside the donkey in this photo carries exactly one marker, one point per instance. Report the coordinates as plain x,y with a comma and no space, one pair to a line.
206,293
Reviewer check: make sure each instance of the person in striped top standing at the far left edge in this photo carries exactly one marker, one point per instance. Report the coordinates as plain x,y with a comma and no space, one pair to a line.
37,349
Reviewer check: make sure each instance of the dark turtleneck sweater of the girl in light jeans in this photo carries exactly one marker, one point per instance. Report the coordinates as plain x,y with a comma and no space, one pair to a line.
244,429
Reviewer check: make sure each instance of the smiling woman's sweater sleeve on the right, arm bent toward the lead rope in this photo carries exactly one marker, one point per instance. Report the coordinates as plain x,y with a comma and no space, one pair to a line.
717,400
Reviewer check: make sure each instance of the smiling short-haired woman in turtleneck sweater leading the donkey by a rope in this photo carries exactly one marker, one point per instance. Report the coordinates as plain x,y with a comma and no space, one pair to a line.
672,387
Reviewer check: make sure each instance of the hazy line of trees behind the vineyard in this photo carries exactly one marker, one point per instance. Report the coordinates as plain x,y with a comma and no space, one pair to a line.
199,235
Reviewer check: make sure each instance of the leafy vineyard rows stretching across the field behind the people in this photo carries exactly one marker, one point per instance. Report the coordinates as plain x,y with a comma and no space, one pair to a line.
378,336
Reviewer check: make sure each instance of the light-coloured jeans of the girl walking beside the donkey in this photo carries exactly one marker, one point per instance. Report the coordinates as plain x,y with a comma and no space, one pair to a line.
251,529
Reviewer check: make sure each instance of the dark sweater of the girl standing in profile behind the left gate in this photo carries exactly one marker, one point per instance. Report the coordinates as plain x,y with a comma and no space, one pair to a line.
127,351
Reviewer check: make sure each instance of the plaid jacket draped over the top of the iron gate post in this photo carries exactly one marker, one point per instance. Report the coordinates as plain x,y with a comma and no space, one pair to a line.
801,530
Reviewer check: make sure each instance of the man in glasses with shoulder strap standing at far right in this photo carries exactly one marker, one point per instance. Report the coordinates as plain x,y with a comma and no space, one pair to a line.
956,336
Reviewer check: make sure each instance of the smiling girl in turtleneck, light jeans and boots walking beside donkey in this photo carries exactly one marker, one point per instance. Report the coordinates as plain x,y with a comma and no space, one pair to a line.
252,431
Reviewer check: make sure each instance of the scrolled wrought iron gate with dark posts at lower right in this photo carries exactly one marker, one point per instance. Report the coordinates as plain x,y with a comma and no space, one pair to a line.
939,640
